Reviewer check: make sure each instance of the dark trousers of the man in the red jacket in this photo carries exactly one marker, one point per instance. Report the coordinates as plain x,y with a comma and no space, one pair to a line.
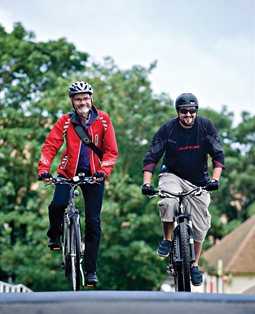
93,196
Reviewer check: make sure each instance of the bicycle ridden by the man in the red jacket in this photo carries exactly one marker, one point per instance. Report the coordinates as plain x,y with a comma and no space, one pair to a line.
72,251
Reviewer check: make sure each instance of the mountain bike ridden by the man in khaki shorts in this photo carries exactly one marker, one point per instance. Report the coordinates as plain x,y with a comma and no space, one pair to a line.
182,253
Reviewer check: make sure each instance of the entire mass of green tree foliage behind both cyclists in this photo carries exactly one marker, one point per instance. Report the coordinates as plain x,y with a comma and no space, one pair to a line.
34,78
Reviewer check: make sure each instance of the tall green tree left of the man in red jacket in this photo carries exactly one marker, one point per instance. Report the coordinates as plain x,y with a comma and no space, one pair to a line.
29,72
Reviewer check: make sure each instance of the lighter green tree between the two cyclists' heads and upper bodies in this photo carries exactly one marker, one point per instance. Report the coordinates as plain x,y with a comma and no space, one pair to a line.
136,113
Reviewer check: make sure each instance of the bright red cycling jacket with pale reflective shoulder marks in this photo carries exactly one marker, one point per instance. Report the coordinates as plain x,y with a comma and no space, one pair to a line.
102,134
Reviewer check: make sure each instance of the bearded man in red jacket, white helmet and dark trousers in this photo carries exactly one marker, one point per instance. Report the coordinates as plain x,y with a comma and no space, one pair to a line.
76,158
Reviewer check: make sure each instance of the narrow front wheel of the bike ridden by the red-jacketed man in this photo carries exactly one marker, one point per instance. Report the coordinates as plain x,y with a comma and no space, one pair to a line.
75,256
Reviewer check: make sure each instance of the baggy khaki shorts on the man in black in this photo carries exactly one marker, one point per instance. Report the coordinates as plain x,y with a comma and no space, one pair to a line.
197,206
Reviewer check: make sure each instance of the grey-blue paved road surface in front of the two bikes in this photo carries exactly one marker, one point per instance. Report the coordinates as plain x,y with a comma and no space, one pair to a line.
125,302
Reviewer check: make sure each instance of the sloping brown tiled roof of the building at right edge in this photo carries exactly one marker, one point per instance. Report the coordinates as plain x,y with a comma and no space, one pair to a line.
236,250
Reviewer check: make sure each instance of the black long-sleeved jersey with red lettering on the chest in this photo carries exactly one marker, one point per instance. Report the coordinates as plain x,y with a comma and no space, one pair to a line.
185,151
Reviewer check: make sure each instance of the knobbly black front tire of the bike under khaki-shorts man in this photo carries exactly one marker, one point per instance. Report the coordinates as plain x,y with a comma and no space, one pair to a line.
185,256
